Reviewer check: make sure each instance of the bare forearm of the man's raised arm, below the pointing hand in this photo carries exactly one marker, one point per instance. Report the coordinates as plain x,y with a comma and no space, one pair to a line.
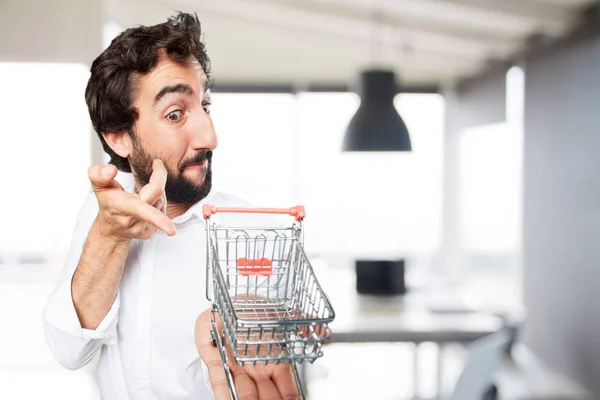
96,280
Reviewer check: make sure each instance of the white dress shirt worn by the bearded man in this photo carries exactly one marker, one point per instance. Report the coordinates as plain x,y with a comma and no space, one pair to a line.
146,341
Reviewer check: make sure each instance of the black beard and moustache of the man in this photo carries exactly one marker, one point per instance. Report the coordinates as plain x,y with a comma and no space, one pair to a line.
178,188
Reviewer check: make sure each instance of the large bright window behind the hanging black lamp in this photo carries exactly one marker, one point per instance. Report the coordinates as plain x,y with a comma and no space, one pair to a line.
281,150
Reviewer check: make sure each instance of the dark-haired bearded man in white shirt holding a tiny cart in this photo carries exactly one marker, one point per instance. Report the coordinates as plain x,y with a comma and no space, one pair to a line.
133,286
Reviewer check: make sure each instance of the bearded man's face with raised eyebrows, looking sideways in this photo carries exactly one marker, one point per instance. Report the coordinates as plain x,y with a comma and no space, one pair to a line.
174,126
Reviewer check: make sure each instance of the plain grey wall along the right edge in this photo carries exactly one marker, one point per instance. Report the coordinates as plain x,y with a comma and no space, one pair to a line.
562,209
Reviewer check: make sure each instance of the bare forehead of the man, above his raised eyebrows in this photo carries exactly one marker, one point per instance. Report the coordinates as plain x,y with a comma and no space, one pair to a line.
167,73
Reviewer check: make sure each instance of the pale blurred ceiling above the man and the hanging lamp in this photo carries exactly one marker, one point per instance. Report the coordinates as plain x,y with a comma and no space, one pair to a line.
326,42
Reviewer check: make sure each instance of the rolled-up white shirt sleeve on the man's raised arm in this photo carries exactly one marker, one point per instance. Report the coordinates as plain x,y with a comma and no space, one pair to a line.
73,346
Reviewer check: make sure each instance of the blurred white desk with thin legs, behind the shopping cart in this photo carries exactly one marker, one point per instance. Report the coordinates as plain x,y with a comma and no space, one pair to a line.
430,312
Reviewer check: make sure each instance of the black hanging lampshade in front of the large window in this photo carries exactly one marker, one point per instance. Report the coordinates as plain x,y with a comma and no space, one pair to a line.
377,126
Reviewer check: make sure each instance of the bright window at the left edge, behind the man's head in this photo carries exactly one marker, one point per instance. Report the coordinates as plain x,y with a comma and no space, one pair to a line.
44,155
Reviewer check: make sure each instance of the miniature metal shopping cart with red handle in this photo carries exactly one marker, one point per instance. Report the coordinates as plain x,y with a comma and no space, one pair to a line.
265,292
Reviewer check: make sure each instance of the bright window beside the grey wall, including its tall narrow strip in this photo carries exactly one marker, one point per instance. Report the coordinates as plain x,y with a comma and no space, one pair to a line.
490,204
